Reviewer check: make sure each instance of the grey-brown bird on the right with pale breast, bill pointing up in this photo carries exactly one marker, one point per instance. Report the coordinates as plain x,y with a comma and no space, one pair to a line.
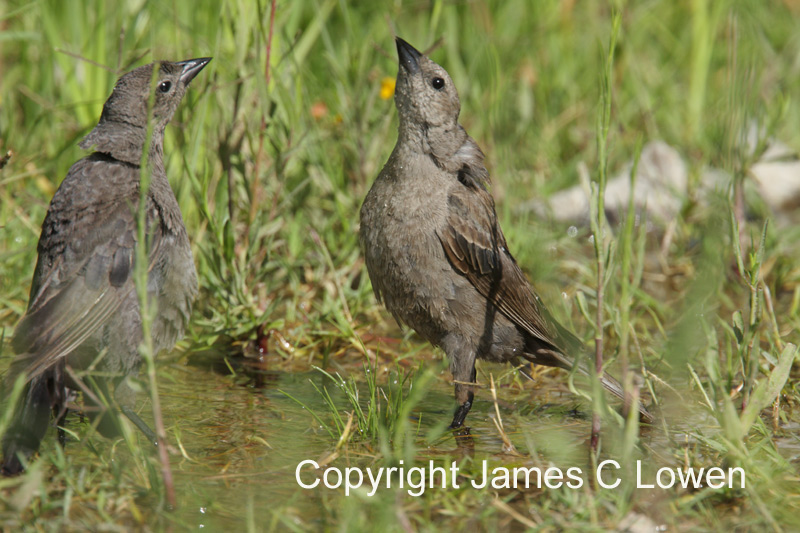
434,249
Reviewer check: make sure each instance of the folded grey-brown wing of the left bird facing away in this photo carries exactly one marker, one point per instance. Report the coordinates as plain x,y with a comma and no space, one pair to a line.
83,287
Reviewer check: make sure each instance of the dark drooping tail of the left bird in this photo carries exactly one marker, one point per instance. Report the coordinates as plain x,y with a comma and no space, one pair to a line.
31,418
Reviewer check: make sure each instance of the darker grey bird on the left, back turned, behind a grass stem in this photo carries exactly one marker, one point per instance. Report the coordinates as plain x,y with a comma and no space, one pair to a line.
84,310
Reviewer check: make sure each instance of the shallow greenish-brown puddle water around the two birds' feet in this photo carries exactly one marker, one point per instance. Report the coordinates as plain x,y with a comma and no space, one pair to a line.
248,438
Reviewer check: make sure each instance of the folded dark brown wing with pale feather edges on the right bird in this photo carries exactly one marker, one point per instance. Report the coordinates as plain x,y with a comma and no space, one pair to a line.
476,247
